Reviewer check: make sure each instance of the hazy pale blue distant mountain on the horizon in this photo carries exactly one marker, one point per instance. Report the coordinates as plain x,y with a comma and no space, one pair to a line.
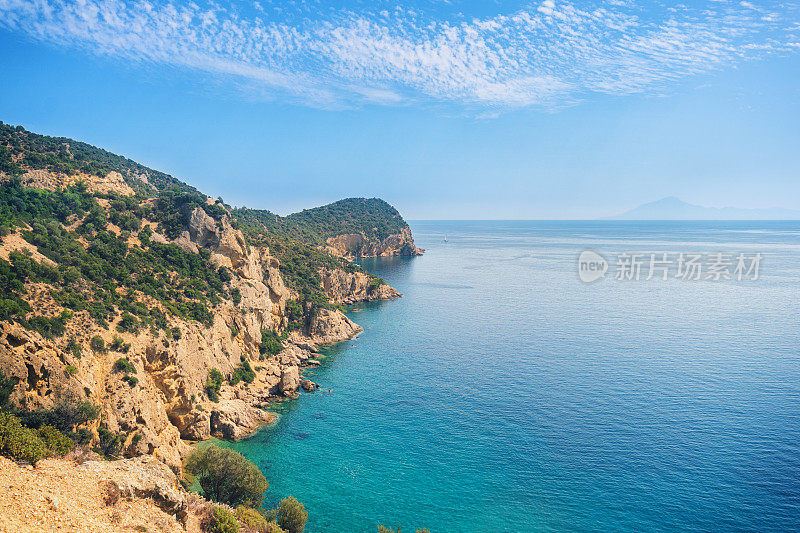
672,208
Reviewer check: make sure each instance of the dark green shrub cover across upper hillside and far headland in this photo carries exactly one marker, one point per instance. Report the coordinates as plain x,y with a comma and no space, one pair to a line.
107,275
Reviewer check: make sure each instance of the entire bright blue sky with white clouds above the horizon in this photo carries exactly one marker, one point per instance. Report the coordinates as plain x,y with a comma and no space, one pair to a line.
448,109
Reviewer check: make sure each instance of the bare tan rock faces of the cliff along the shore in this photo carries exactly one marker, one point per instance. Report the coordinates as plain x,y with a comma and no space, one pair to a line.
161,401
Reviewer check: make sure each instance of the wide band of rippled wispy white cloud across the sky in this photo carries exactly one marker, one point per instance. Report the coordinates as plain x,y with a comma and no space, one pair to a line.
549,54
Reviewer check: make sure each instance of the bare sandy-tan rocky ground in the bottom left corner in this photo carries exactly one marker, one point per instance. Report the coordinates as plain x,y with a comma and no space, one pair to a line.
139,494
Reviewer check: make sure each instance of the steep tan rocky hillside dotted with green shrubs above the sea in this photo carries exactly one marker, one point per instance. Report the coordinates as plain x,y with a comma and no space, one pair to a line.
138,315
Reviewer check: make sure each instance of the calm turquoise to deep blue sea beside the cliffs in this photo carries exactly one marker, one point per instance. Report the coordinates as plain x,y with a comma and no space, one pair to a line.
503,394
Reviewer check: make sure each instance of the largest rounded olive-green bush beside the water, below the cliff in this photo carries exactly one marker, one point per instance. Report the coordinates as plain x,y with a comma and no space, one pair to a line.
227,477
